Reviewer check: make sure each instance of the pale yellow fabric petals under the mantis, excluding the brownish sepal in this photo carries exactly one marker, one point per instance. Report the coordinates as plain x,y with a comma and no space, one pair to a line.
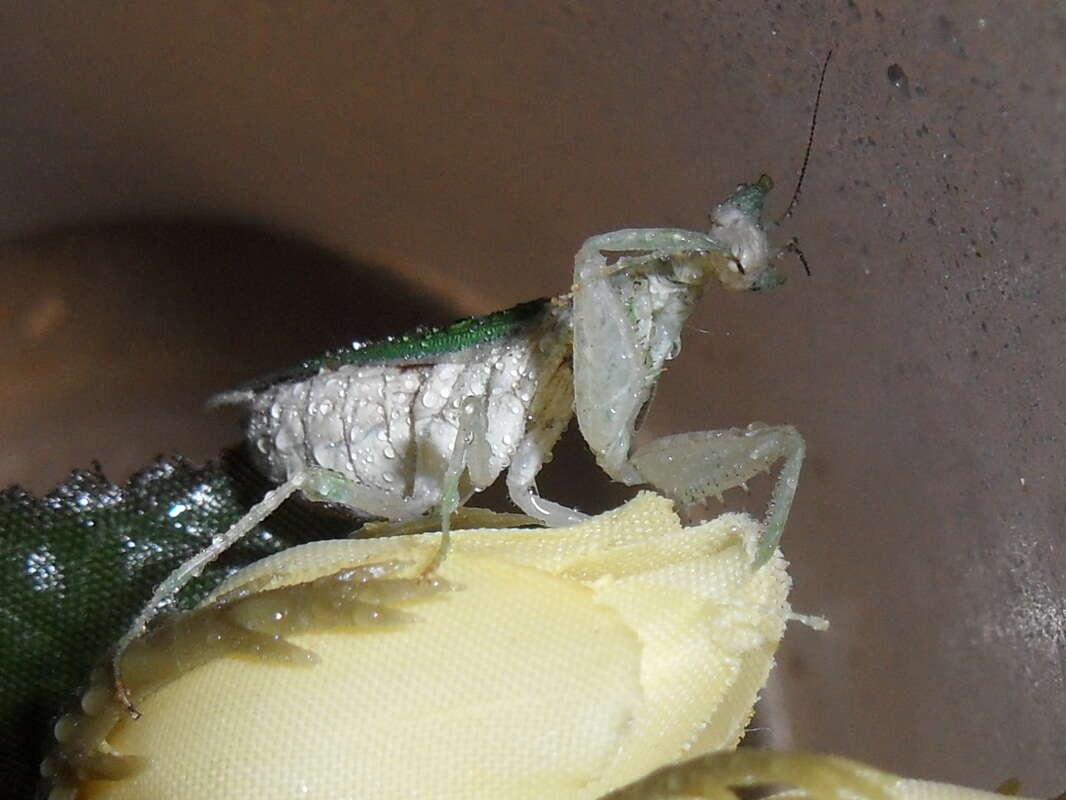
566,663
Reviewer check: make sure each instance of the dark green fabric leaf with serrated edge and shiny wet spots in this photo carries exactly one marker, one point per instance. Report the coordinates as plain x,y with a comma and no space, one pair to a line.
77,565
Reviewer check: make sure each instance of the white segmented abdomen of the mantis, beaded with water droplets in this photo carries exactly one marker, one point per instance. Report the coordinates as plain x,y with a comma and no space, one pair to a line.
392,429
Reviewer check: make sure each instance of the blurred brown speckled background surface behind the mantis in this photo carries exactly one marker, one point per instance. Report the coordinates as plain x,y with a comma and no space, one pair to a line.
472,148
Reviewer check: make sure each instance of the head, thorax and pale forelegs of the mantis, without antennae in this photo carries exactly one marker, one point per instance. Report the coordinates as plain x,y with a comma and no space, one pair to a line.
634,292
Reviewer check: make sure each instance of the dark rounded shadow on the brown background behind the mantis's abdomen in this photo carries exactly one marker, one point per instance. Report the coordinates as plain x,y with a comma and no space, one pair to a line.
119,333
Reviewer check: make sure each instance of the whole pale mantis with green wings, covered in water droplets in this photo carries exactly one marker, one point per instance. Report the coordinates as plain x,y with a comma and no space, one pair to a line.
417,424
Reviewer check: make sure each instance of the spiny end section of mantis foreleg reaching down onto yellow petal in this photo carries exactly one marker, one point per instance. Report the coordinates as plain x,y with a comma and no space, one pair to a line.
692,468
